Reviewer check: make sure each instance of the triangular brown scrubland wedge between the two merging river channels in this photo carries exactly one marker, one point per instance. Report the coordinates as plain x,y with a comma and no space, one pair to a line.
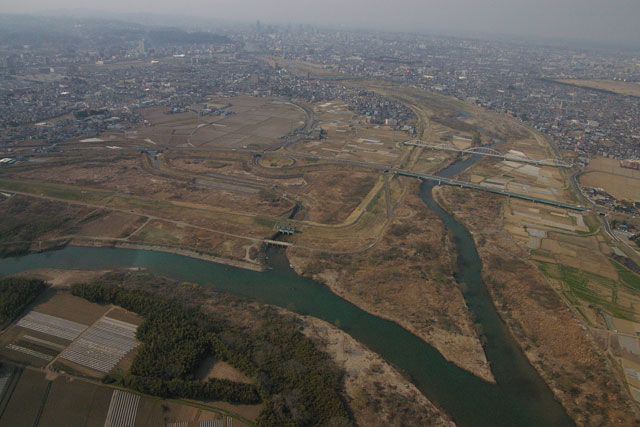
406,278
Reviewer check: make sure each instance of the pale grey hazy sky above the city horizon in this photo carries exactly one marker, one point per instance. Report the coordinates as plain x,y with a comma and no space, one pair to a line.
609,20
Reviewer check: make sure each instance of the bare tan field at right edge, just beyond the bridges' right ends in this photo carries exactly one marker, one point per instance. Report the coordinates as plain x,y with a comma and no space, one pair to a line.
621,183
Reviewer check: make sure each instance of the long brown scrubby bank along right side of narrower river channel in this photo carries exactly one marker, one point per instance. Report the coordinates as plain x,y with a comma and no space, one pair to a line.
552,338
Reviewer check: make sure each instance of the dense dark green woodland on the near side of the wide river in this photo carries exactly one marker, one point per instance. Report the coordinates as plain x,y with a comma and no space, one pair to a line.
298,384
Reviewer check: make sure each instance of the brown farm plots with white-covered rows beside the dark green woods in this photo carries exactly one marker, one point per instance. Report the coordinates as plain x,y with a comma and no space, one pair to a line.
58,350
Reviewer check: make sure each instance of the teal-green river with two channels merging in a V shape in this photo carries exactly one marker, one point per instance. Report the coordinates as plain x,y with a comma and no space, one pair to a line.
519,398
